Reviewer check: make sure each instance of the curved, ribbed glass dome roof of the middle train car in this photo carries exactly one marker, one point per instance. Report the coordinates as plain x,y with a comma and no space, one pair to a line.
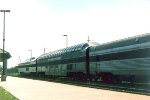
78,47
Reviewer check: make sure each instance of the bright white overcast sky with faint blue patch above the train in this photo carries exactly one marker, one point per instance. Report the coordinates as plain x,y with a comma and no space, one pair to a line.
38,24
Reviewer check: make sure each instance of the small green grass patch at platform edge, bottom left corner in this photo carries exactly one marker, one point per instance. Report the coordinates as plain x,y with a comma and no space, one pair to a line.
4,95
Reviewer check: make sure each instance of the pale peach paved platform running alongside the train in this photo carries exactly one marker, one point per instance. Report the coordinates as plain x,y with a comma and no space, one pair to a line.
28,89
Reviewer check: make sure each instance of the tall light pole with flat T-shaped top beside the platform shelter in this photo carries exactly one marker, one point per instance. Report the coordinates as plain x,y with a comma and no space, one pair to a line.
3,77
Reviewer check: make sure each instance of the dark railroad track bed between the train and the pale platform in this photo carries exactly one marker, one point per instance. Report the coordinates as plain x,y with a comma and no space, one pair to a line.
143,89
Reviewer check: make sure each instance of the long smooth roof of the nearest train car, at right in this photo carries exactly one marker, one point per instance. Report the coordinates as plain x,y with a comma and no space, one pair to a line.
124,42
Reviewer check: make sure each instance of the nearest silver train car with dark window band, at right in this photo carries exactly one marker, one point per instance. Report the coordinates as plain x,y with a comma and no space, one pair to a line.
123,60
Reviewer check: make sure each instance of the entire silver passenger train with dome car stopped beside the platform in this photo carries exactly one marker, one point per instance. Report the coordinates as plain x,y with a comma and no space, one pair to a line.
125,60
